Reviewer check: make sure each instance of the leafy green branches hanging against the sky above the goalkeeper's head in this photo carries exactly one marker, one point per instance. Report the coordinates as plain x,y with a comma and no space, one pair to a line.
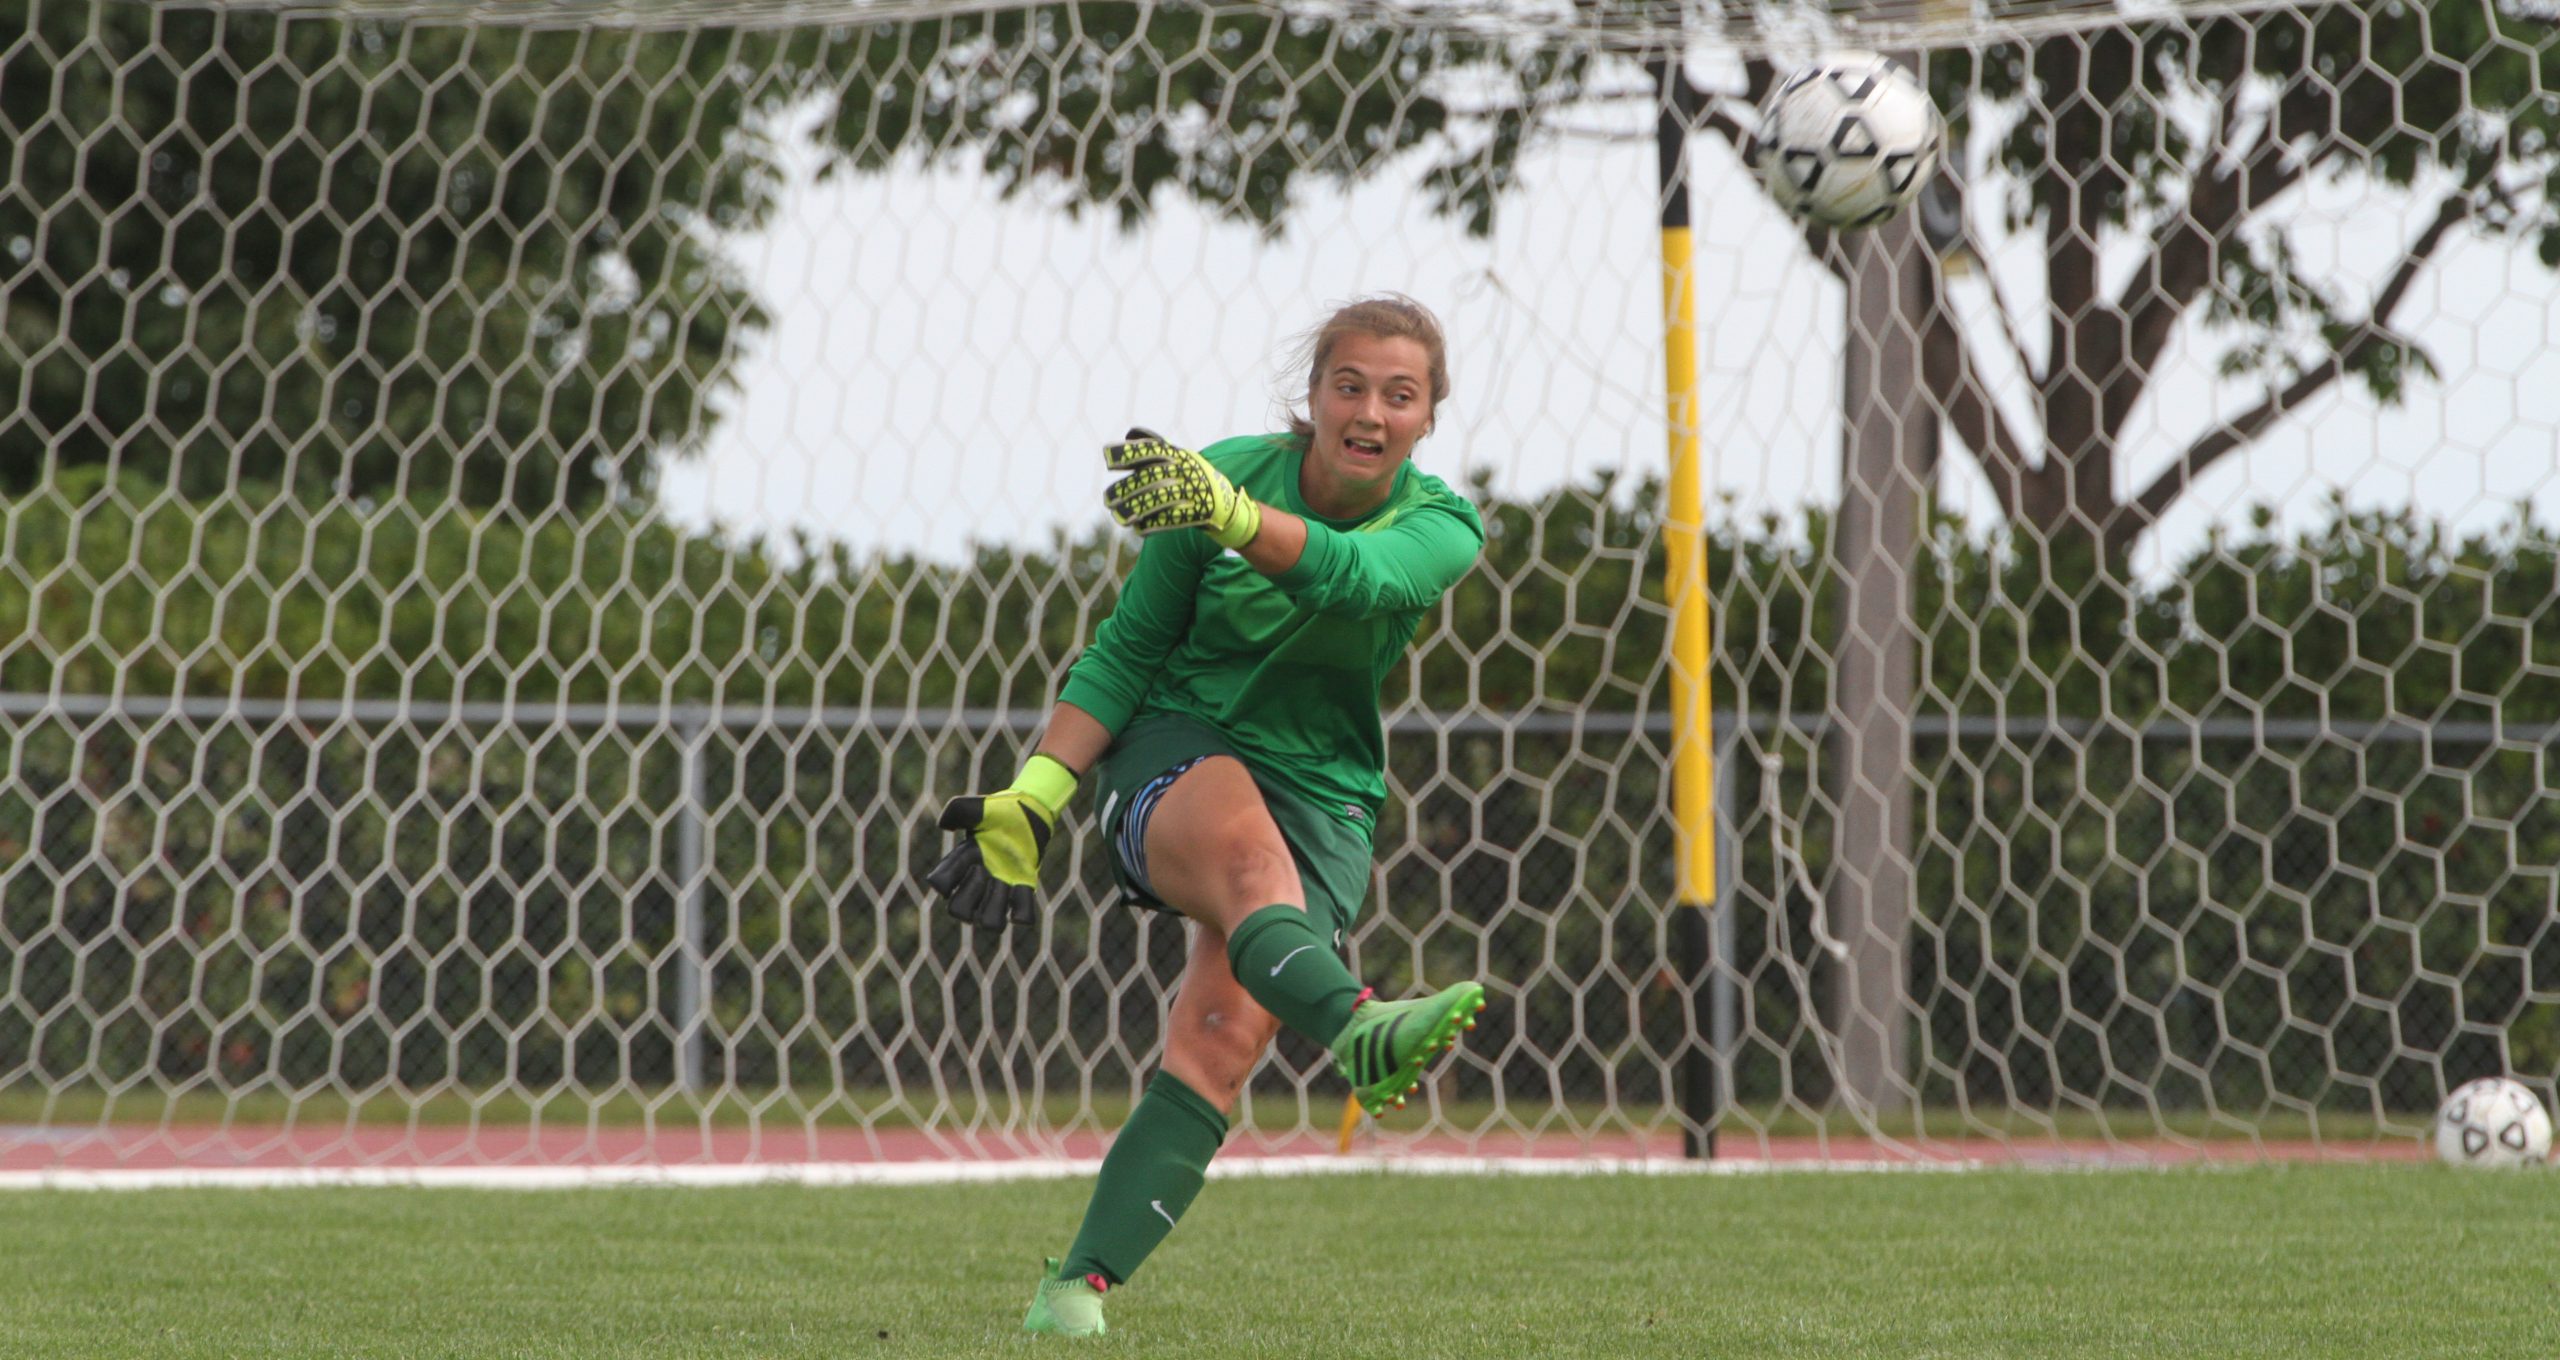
1107,104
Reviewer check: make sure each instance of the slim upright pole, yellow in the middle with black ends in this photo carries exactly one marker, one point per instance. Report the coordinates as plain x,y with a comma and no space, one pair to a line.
1686,585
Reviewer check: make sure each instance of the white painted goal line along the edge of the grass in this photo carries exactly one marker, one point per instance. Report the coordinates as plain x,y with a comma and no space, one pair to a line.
882,1174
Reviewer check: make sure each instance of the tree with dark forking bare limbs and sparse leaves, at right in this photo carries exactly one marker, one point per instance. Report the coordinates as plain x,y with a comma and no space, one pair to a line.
2177,140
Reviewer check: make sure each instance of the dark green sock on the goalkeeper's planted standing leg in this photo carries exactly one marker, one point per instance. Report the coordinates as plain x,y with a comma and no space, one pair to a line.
1151,1174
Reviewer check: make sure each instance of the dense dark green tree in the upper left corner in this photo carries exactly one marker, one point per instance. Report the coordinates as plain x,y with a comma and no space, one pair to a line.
367,257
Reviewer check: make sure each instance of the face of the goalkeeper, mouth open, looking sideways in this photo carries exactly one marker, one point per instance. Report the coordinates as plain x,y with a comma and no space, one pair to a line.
1371,406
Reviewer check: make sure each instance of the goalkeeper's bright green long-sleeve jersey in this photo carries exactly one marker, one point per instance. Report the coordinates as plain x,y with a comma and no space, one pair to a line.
1286,667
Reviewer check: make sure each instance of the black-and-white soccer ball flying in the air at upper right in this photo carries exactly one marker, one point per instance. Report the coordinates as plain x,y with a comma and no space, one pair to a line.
1850,140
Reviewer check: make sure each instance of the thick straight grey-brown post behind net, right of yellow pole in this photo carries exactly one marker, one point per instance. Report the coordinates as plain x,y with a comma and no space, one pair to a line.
1888,457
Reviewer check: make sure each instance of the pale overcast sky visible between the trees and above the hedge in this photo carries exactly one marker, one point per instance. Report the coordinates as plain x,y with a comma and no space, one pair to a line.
946,365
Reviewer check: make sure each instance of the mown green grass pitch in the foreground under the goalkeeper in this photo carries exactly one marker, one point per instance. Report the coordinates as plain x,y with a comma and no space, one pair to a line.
2249,1264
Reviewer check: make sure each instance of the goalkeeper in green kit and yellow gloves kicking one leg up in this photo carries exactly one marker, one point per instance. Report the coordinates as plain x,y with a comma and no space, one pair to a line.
1230,711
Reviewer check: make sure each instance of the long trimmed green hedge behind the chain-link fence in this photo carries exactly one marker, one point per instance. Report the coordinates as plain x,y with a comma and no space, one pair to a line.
2134,913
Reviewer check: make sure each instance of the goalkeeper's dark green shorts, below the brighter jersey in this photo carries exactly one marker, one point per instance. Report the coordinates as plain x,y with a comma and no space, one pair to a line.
1335,854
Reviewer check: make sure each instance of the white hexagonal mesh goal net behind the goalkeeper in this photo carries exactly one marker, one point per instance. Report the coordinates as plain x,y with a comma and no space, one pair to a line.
511,529
